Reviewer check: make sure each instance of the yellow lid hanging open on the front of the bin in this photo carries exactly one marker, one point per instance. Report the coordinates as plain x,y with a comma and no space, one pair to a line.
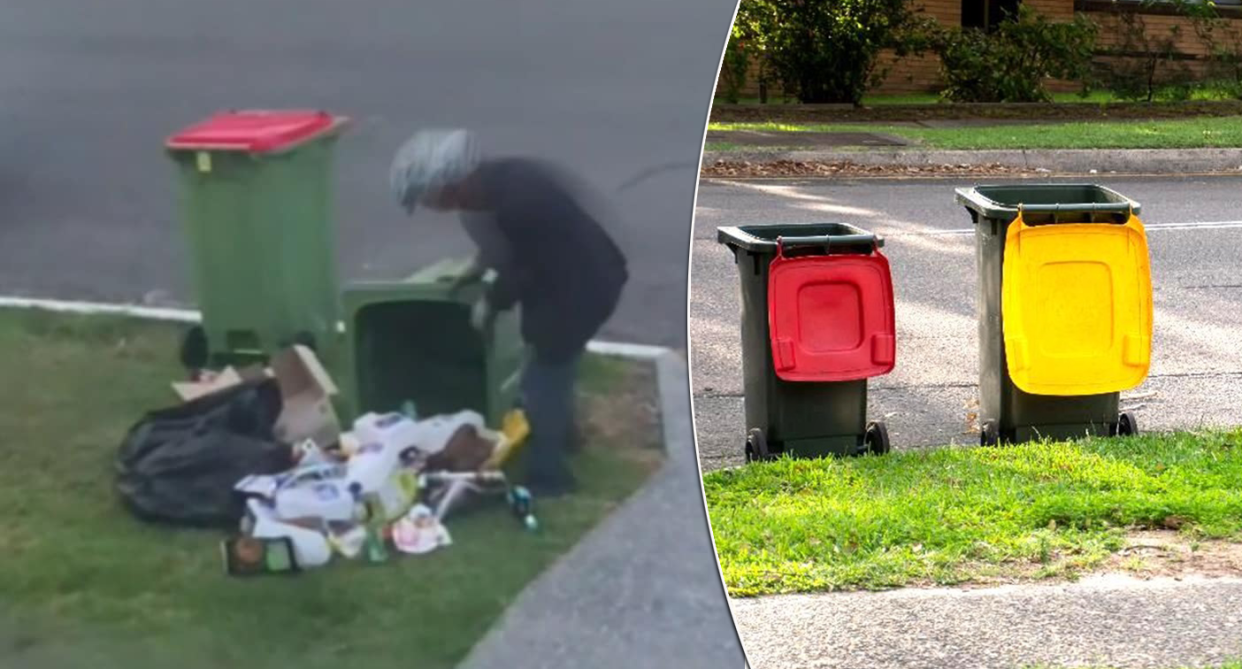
1076,302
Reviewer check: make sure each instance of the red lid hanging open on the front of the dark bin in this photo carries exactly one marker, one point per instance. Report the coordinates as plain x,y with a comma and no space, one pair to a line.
832,317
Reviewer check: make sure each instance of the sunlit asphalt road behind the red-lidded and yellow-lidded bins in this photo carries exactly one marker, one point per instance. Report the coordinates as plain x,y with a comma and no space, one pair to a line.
1195,238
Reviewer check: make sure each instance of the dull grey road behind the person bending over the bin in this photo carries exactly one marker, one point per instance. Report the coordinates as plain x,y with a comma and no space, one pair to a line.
91,90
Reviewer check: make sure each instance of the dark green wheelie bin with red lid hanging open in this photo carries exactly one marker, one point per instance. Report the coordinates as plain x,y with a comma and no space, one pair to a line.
817,323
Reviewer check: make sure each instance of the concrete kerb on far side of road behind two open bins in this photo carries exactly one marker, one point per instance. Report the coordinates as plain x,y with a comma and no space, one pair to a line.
1059,161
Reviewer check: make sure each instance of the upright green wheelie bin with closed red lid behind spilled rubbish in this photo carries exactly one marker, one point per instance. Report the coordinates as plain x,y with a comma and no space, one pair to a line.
256,200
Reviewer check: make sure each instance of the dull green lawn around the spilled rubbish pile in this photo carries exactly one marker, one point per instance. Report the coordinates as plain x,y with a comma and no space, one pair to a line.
83,578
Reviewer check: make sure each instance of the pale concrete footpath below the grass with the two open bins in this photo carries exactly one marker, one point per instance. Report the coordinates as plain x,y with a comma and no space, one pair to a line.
1108,621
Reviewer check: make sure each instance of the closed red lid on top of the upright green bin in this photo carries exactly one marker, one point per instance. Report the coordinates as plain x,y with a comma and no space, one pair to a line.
255,131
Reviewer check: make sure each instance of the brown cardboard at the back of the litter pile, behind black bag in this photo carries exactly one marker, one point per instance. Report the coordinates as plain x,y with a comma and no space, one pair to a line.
306,392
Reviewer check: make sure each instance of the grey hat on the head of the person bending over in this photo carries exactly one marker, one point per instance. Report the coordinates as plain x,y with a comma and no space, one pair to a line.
429,161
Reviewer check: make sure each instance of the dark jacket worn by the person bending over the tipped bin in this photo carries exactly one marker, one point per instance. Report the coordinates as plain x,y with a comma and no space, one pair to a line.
555,260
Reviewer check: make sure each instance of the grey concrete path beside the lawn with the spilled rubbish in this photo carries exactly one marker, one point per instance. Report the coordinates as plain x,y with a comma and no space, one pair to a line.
641,590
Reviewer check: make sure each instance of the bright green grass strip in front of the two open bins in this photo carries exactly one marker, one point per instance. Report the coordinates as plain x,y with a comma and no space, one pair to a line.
961,514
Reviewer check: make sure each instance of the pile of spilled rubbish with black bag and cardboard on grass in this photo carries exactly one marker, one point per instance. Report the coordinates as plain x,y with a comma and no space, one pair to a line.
261,451
